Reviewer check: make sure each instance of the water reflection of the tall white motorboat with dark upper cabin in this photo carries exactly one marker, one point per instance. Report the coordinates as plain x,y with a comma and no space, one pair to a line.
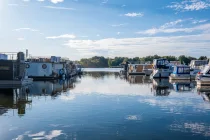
161,87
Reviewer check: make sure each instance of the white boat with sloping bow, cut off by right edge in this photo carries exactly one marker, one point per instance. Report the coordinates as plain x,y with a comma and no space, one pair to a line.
203,77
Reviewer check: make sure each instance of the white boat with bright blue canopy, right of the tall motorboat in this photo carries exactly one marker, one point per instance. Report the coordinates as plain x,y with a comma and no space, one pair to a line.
180,72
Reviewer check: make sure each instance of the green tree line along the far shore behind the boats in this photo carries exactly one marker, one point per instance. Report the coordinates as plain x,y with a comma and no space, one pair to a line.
102,62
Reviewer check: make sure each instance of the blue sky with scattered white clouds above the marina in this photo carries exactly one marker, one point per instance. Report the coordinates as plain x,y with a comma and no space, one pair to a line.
85,28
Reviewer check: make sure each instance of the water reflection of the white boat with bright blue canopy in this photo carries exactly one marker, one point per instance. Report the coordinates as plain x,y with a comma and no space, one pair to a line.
182,85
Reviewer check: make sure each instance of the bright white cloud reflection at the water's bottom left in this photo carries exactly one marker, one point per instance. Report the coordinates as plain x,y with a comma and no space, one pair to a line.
41,135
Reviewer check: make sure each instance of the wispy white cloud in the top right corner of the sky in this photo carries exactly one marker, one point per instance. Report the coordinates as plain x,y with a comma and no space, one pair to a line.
190,5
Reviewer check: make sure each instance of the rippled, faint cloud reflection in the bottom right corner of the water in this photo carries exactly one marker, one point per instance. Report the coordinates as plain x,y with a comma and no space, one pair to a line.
196,128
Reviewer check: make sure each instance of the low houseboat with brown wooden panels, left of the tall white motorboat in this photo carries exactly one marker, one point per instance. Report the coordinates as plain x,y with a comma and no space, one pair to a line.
140,69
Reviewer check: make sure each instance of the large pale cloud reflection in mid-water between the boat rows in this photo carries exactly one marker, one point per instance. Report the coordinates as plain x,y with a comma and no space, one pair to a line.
110,86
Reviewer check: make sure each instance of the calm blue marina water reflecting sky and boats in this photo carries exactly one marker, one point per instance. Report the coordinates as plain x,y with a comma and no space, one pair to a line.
106,106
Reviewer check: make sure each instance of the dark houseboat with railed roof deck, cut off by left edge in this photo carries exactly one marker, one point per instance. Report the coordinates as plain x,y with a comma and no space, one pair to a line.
13,72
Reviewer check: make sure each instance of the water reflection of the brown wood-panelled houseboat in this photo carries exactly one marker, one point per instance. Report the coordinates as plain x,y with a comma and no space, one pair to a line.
139,79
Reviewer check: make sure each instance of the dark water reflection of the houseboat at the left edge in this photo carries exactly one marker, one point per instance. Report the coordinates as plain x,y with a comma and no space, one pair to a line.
14,99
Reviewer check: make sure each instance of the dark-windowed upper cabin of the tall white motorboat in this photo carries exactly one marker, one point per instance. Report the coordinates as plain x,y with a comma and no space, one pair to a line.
160,63
